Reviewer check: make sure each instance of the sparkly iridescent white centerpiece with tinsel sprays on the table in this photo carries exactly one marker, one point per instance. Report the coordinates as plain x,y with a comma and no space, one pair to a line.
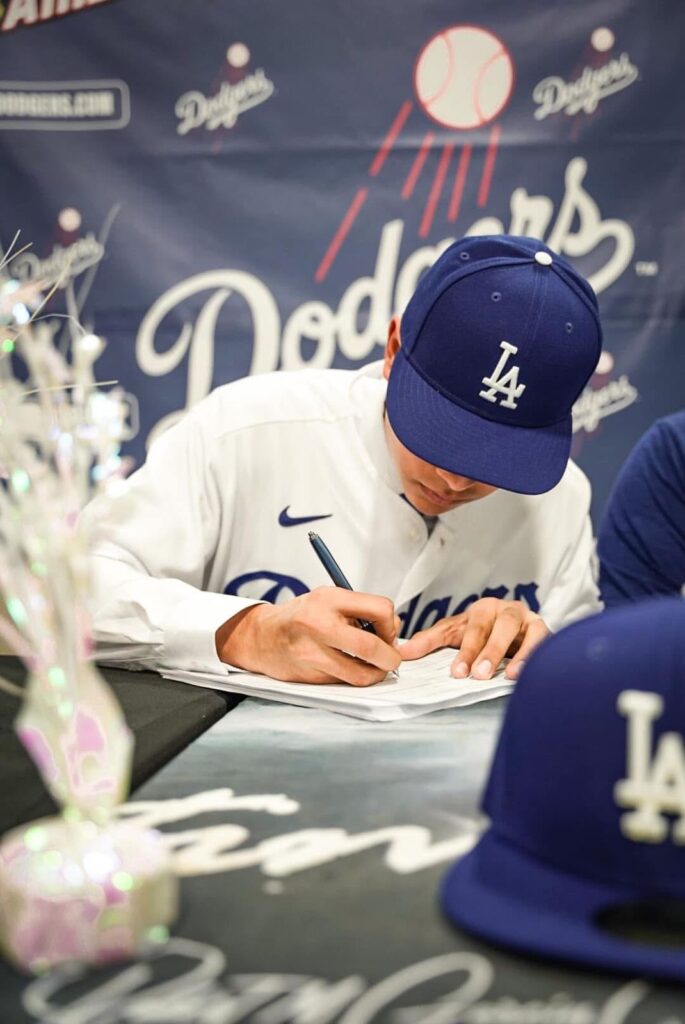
80,886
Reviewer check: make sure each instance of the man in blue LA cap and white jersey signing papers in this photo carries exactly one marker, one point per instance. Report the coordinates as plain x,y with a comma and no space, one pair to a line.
447,495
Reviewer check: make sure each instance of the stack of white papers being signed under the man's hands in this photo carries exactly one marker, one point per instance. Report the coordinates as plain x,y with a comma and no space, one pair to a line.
422,687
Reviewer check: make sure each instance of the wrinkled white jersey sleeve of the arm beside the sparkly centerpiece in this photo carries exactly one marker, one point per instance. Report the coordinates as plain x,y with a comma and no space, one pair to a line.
151,606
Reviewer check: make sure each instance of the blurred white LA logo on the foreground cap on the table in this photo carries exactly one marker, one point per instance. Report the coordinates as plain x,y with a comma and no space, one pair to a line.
655,787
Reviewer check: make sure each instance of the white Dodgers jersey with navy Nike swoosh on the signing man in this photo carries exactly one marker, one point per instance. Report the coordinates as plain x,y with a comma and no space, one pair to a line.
219,517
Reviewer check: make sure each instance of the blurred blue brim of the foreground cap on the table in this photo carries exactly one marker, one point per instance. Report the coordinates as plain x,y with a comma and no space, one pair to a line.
507,898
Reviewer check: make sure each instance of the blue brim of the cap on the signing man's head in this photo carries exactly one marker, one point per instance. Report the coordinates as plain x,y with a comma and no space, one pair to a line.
528,460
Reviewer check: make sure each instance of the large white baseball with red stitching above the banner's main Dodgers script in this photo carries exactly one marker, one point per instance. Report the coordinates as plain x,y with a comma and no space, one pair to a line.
464,77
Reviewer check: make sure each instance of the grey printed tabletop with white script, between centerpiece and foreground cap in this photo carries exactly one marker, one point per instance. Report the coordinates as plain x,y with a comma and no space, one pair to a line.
312,848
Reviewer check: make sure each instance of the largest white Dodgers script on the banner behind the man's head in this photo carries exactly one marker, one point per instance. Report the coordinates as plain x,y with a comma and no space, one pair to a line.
578,231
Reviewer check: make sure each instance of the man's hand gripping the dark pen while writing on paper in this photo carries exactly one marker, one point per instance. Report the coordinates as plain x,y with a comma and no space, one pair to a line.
315,638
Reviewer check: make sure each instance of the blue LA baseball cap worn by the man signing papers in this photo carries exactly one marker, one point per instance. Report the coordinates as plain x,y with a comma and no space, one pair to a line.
498,343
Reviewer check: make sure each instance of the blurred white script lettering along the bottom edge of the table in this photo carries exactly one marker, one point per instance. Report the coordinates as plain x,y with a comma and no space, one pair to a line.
185,983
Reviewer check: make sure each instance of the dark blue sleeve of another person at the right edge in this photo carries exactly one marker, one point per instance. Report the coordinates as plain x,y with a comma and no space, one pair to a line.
641,544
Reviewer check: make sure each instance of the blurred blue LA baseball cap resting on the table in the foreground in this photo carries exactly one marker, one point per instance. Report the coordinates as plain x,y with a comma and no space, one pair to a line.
586,799
